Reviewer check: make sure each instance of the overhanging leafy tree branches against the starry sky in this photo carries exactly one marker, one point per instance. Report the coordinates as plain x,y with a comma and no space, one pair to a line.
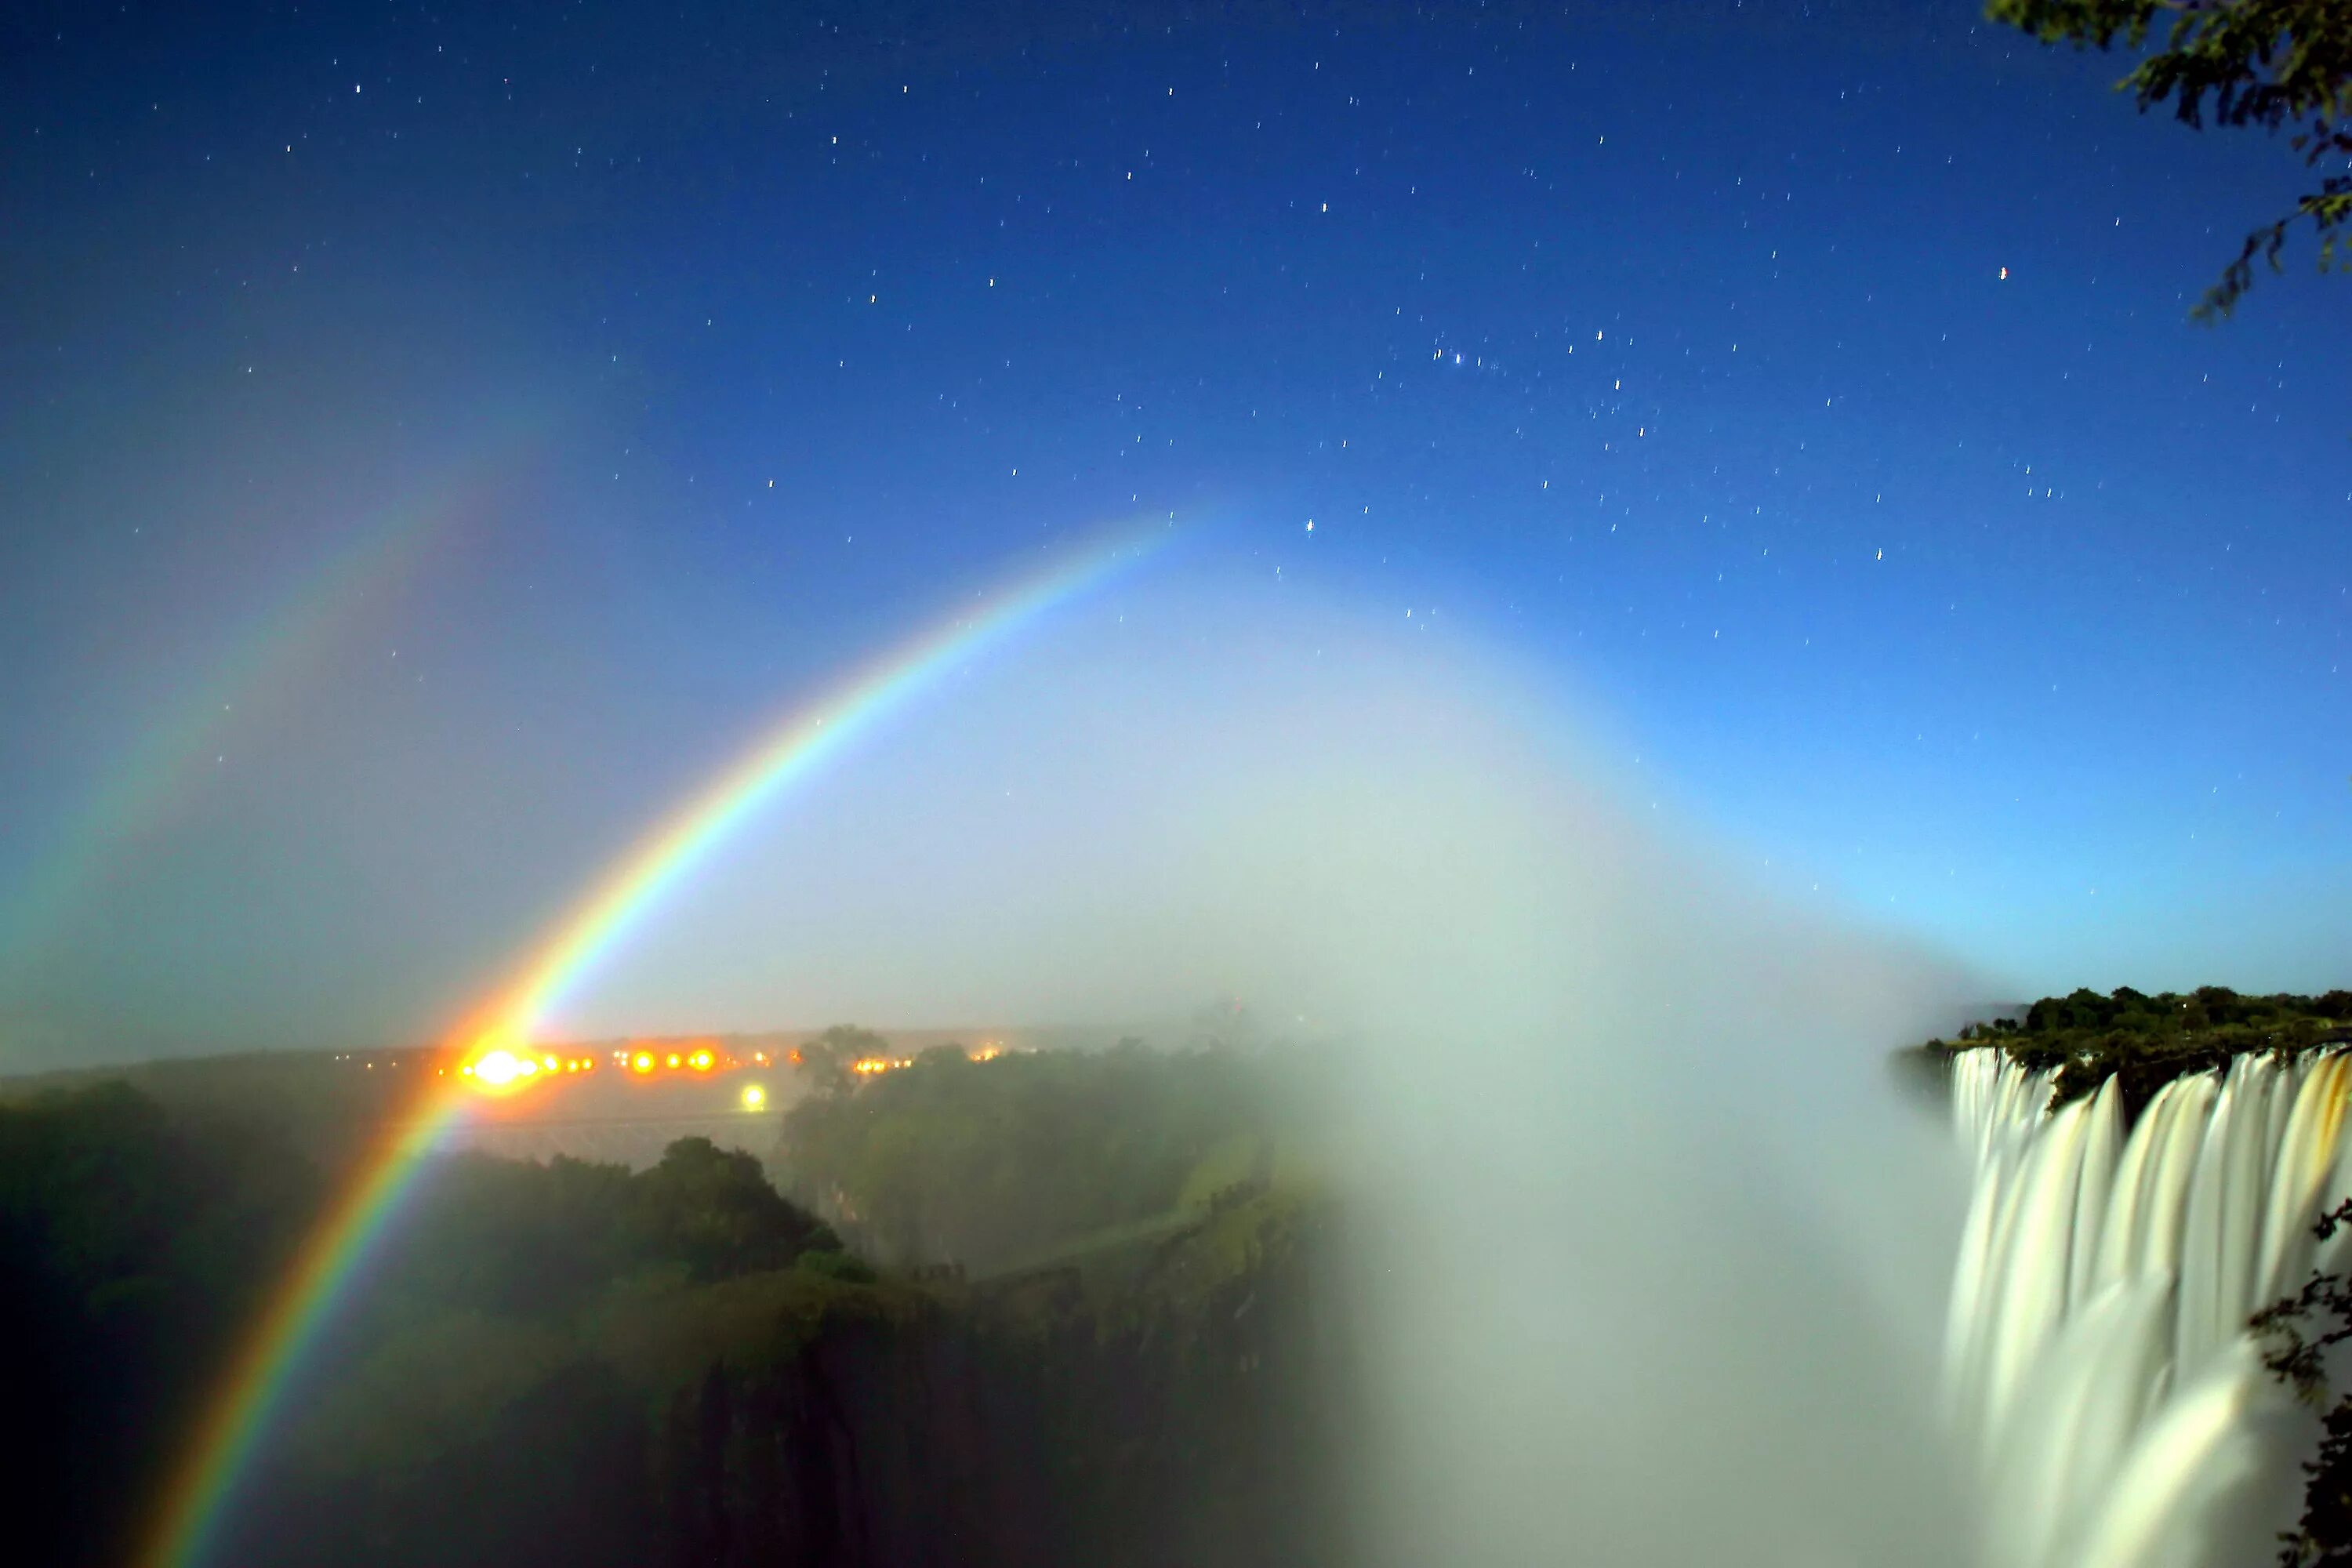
2273,65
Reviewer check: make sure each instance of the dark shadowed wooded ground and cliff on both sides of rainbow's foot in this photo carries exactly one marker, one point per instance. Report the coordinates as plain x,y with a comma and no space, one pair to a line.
580,1365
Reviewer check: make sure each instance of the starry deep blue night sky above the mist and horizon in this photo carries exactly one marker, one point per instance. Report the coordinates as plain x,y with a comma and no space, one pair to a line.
432,441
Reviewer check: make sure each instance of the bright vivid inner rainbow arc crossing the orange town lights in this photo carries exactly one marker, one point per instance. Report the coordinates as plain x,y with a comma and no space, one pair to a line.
255,1386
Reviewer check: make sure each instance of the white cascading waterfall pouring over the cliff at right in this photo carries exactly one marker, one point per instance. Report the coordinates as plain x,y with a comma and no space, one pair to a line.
2097,1353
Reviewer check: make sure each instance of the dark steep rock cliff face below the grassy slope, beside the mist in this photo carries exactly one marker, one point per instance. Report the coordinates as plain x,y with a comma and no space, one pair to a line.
1177,1407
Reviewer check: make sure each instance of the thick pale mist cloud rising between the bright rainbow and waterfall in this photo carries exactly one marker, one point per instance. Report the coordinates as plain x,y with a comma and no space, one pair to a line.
1645,1252
